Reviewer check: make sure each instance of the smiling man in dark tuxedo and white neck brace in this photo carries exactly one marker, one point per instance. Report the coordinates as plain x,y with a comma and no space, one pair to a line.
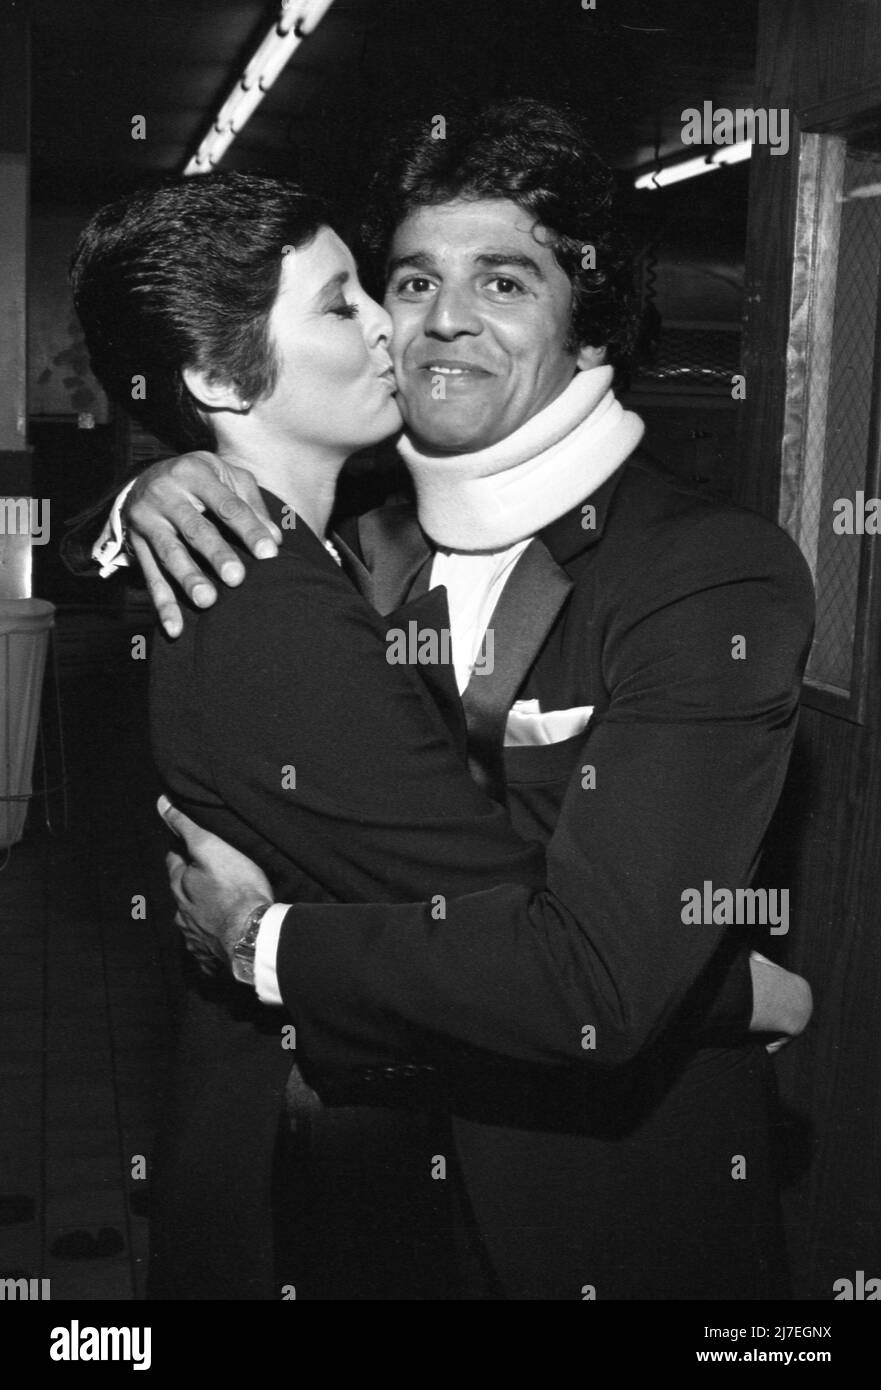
629,657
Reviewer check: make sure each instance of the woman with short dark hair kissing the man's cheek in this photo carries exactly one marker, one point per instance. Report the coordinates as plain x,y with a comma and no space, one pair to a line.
237,313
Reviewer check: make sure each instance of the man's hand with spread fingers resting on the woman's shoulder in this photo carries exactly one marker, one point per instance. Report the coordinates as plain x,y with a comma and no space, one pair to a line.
165,518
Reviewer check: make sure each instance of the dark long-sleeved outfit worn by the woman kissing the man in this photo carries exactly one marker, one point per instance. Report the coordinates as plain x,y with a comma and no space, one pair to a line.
279,723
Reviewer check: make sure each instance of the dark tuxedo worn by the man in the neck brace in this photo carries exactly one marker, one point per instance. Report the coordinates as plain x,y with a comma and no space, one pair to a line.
686,623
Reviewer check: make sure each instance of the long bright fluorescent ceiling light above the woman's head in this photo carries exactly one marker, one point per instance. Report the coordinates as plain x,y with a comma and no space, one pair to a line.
297,20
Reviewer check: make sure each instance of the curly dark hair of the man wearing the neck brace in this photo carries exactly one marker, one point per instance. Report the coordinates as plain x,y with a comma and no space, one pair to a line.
540,158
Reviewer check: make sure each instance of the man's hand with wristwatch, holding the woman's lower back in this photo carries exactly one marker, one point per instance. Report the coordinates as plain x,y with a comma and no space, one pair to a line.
216,888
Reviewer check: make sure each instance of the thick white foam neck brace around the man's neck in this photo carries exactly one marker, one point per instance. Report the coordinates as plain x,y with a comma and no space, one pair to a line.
497,497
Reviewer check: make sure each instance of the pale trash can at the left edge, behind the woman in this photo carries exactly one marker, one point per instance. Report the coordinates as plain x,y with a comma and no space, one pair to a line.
24,643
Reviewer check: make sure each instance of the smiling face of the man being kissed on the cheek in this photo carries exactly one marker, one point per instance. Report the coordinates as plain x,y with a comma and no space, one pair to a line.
481,313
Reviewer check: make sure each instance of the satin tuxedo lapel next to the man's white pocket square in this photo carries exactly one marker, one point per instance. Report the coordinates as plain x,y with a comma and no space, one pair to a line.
520,623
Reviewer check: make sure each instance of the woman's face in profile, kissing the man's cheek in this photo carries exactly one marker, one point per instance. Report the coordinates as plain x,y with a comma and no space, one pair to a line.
336,389
